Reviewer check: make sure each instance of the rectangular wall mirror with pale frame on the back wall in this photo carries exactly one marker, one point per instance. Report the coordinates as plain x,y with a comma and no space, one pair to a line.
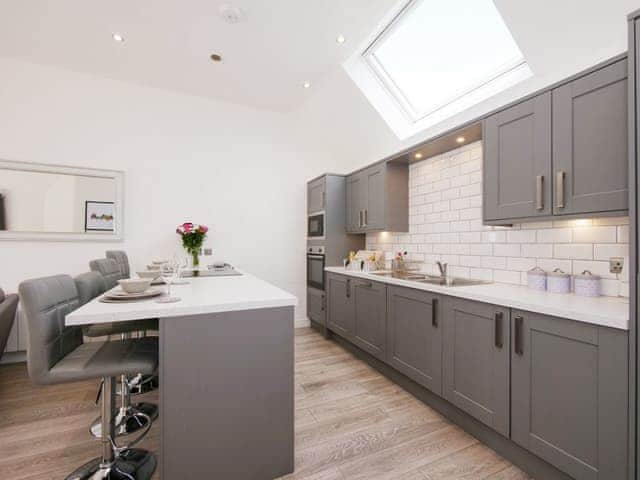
54,202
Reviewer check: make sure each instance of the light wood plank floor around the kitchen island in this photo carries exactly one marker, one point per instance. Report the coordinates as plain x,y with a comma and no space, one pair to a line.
351,423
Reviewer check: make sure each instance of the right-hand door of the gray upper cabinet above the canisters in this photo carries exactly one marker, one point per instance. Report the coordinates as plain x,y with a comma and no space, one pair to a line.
590,148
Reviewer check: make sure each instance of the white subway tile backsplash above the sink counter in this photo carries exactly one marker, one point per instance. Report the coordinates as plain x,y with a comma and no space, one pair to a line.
446,224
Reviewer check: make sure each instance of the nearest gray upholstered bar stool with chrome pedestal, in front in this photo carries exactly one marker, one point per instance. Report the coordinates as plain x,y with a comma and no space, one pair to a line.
56,354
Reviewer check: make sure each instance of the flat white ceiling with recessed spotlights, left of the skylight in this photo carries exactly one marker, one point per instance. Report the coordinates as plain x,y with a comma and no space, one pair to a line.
168,43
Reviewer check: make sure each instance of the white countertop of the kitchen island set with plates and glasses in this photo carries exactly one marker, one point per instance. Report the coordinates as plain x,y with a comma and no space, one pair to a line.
200,295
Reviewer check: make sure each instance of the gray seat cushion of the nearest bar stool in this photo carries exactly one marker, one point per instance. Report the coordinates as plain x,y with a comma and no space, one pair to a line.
108,359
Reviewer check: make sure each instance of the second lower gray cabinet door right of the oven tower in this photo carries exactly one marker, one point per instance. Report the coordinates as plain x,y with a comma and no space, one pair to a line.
370,319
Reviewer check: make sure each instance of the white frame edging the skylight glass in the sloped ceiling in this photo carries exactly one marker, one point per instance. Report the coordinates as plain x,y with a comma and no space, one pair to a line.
406,107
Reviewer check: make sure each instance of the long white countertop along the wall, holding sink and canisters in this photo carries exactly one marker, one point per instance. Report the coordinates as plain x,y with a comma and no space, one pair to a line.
605,311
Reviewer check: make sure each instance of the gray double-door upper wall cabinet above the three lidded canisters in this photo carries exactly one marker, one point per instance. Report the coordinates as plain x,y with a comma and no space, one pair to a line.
562,152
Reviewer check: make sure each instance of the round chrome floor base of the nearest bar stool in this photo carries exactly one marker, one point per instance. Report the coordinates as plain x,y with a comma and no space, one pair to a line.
132,464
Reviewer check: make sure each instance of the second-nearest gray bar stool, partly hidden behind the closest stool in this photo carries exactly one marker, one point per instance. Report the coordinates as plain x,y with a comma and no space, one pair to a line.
130,417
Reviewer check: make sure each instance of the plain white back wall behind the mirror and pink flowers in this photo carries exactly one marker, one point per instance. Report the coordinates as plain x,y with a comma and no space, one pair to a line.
238,170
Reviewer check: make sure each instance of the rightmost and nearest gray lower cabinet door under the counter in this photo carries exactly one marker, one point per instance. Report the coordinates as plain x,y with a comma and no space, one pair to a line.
569,394
